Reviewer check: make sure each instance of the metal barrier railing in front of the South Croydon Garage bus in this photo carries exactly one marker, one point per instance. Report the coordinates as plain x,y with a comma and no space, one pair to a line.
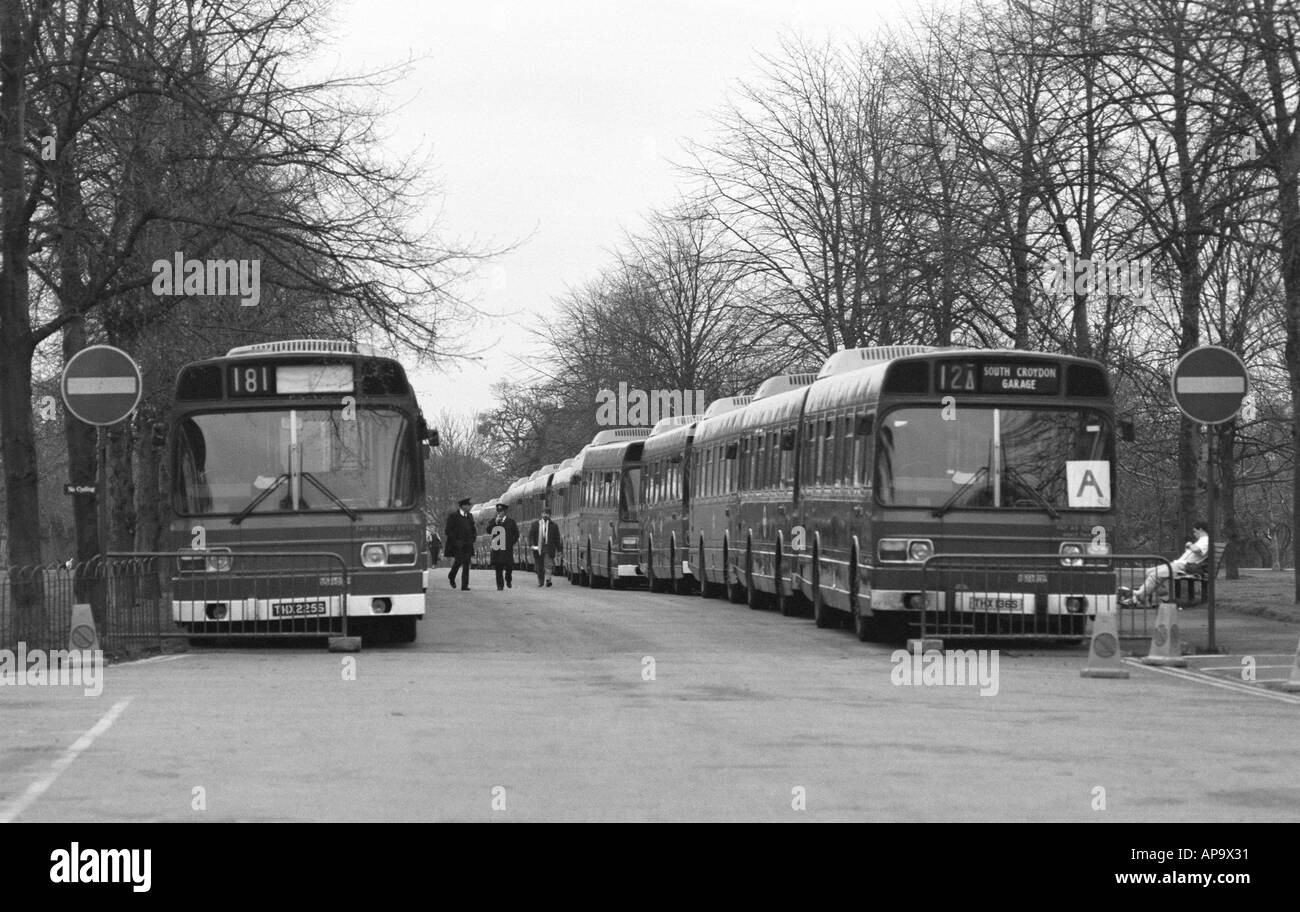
1030,597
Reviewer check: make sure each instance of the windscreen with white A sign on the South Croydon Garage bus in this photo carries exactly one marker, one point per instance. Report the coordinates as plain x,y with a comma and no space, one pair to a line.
995,459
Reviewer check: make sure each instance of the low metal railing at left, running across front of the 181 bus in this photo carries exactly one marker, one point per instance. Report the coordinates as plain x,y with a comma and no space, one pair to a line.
140,600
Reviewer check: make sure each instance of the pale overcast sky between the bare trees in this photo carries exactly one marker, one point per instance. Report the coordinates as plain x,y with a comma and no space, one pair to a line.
554,123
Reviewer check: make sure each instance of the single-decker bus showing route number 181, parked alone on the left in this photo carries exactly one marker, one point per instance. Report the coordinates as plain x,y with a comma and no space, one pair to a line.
302,446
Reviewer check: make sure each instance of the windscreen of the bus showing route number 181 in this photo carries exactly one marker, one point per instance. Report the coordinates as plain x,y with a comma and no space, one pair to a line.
363,461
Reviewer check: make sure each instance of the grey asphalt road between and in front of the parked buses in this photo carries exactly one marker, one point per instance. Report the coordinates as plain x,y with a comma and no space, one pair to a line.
536,705
